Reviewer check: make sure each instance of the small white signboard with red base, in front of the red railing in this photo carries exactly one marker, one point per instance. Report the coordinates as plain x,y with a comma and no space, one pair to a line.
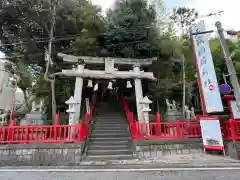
211,134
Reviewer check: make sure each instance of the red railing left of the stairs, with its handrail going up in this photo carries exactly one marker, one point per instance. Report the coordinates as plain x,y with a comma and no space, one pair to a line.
49,133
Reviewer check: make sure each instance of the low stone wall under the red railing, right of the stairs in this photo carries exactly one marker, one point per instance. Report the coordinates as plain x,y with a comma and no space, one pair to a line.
166,147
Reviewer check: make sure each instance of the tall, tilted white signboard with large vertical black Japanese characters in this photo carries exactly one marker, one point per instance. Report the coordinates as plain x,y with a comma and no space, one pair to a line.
206,70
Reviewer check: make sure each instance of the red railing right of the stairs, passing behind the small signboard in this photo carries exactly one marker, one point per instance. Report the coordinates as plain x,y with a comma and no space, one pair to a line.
160,130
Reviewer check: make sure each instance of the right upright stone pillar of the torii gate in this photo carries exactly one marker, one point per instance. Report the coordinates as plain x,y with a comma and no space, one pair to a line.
138,94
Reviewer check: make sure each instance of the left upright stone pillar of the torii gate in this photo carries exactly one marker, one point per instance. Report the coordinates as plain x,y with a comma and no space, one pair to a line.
78,93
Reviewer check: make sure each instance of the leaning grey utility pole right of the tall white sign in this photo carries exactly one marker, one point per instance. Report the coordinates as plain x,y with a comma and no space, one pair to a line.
229,63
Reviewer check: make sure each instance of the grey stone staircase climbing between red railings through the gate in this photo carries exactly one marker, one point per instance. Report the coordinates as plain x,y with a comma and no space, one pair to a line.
110,138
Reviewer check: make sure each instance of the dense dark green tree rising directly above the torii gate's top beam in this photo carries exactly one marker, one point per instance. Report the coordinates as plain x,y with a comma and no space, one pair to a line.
130,30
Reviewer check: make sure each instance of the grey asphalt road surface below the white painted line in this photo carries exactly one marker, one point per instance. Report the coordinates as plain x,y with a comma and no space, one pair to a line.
147,175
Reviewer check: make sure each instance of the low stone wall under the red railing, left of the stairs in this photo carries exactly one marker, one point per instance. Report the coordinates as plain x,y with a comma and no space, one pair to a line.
44,154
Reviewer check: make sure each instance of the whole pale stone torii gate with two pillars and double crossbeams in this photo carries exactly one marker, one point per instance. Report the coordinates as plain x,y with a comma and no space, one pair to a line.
109,73
